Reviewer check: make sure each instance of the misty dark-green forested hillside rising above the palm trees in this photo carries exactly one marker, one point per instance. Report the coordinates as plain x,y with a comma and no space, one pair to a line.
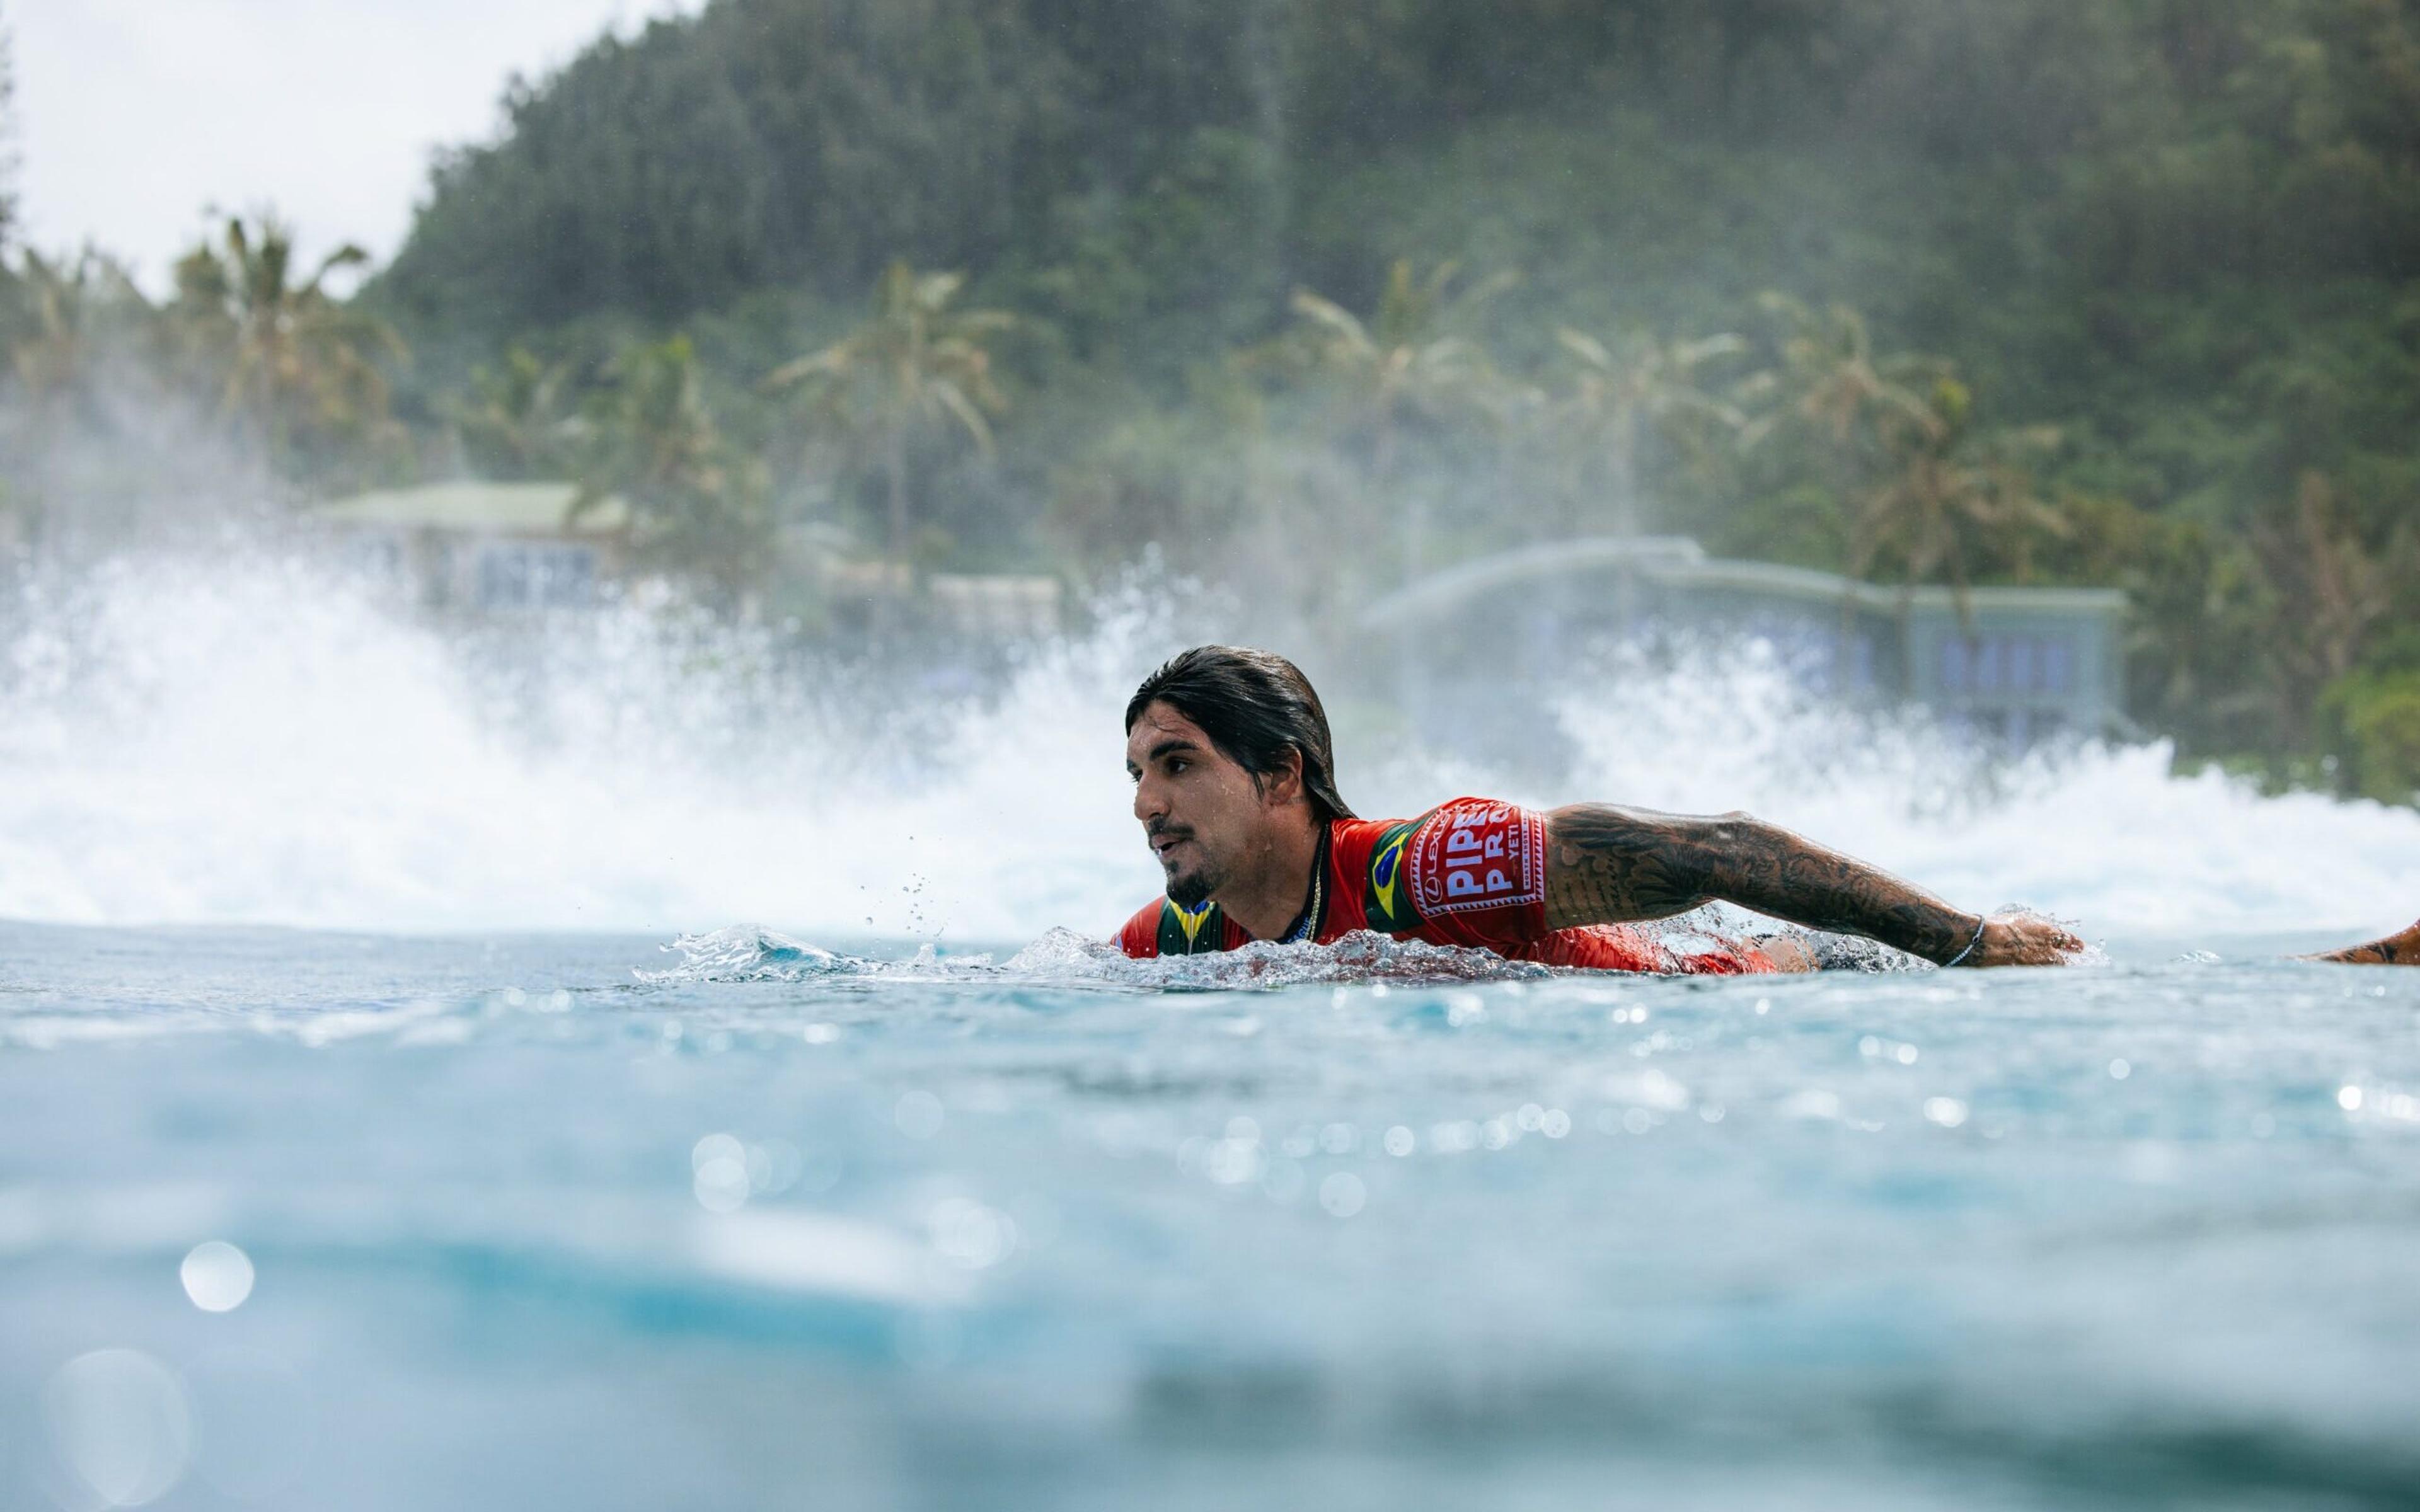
2087,207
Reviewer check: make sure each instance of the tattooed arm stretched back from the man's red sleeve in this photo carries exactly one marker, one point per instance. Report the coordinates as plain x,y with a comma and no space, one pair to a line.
1615,865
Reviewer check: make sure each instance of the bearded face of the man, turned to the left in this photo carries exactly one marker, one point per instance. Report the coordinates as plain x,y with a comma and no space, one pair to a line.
1202,812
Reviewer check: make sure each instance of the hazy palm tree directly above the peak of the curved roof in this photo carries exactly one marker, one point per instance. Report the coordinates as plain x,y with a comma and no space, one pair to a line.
1635,391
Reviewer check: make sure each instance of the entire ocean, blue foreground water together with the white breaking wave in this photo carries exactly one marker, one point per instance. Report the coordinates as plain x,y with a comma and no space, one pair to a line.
369,1141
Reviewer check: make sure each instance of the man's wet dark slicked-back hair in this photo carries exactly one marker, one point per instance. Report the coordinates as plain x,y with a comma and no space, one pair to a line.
1255,705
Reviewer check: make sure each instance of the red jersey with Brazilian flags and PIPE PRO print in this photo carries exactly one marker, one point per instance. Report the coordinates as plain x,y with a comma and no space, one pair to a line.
1465,875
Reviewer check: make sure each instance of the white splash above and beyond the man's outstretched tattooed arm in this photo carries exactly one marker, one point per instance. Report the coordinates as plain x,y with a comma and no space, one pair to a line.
2107,838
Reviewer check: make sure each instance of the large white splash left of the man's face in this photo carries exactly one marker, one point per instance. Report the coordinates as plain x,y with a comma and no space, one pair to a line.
263,741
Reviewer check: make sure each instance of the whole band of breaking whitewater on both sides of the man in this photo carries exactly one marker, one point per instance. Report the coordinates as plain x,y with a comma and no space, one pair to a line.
265,741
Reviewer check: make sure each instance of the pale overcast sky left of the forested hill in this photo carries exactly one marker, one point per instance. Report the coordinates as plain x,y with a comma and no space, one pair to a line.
137,115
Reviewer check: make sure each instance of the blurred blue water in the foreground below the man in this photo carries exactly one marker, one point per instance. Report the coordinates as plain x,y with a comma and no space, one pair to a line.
338,1220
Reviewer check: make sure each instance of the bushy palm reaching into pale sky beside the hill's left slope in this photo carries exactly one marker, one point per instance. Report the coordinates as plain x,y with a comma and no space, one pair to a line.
292,364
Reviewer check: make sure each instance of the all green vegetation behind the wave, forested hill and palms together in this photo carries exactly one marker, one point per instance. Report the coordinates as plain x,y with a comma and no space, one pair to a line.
1313,294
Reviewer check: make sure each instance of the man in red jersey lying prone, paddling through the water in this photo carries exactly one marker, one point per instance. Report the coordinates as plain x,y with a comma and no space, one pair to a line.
1235,785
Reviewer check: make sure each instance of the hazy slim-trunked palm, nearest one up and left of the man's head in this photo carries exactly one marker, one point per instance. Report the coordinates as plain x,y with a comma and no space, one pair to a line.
914,369
